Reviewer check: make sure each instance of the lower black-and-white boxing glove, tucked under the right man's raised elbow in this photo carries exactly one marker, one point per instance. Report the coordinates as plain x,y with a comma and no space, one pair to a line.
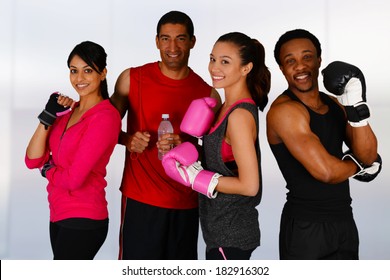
365,173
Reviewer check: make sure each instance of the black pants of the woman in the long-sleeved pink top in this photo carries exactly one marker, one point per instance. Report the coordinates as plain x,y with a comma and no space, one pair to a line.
69,243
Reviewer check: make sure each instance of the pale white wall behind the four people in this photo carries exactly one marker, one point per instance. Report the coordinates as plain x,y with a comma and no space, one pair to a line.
36,37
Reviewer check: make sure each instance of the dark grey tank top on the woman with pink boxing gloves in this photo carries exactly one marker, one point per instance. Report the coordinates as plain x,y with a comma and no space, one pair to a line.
229,220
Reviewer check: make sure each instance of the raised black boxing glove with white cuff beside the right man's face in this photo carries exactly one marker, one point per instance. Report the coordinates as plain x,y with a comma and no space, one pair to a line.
347,82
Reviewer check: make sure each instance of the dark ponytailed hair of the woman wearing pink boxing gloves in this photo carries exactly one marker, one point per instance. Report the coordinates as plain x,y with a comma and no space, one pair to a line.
259,78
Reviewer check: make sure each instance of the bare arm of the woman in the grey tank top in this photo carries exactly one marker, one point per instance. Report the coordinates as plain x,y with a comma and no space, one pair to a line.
241,133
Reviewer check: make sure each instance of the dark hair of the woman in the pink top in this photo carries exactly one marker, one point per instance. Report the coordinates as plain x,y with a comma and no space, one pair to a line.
95,56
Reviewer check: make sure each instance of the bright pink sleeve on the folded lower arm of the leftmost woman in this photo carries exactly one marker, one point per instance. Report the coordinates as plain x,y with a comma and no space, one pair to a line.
96,145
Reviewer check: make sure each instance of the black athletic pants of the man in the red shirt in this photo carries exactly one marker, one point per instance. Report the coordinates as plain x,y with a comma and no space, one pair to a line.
154,233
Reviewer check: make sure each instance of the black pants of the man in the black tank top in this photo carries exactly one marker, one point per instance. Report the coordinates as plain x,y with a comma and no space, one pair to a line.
308,240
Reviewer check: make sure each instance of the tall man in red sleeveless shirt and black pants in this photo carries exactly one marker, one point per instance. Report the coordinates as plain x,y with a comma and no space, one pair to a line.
159,216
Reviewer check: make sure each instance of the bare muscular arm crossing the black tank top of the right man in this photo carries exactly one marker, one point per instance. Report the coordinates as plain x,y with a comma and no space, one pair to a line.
288,122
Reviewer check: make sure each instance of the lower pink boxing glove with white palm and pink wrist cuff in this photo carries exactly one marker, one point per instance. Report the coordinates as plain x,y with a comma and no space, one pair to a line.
180,164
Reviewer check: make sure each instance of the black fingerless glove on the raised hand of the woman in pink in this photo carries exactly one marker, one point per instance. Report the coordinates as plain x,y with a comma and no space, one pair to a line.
52,111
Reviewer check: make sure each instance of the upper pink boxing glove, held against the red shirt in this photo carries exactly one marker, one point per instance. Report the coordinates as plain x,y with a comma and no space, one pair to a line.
199,117
